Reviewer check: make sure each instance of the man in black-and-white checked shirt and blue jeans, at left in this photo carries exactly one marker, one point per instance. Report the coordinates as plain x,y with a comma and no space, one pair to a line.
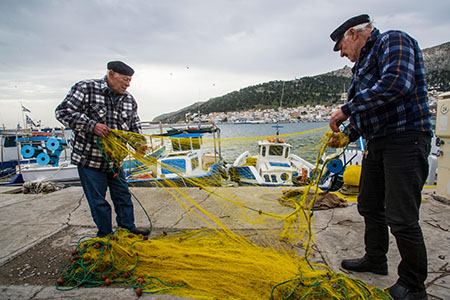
91,109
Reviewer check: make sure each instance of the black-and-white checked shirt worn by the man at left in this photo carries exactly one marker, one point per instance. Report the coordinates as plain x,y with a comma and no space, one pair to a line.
90,102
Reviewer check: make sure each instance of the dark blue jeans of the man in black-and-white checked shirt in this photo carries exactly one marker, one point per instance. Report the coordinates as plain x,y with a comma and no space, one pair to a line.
95,184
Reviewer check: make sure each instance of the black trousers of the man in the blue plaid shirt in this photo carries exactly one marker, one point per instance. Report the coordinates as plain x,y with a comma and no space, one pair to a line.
393,174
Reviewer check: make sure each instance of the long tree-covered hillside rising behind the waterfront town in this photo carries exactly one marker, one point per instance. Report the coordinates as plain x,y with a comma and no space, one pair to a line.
323,89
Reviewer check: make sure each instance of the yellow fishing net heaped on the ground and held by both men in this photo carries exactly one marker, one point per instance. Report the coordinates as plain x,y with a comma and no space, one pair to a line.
265,253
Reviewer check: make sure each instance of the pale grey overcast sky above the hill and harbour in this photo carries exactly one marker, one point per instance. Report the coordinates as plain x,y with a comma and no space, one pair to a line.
182,51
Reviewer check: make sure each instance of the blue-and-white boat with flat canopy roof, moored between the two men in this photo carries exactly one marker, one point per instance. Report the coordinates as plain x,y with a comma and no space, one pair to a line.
187,162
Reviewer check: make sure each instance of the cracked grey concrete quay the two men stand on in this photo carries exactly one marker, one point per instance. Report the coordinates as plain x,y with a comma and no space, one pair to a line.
40,231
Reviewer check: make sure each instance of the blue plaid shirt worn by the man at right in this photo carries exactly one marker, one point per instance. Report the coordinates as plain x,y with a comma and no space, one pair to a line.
388,93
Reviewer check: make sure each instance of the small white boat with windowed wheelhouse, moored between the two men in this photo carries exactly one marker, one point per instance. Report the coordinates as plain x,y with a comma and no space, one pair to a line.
274,165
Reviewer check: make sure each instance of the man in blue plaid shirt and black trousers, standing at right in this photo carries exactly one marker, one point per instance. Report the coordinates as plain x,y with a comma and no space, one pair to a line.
388,106
